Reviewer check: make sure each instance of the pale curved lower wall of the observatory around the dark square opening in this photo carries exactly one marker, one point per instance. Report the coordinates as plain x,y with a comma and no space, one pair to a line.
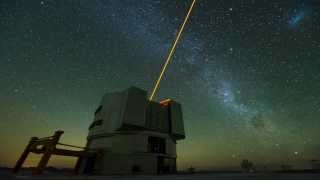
119,153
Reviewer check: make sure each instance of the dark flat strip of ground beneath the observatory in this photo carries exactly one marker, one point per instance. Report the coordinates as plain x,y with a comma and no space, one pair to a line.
201,176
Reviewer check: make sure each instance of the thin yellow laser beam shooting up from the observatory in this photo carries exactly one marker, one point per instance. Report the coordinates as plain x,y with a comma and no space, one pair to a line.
156,86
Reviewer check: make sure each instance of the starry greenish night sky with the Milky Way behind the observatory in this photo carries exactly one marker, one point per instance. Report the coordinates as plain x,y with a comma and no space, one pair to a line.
247,73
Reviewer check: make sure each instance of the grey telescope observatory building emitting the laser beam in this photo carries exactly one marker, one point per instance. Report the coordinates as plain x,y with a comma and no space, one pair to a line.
130,134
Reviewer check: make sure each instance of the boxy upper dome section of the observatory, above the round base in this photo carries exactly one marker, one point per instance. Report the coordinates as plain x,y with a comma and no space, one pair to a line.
131,109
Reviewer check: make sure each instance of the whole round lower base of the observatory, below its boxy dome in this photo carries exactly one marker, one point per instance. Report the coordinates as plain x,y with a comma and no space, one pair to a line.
130,154
